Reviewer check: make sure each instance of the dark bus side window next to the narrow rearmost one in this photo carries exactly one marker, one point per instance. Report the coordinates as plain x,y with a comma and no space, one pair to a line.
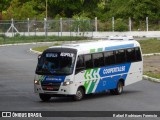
130,53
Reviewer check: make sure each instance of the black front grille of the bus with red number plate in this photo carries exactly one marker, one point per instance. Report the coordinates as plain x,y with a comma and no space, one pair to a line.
51,86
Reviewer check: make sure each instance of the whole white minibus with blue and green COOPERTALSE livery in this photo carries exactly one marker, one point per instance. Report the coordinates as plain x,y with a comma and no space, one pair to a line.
93,67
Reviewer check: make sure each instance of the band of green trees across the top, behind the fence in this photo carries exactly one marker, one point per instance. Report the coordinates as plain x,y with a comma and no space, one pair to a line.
137,10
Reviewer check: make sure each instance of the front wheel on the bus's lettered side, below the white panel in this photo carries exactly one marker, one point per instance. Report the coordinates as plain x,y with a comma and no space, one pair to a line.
79,94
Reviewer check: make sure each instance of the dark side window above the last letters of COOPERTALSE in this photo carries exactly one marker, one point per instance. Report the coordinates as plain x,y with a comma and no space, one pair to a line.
120,56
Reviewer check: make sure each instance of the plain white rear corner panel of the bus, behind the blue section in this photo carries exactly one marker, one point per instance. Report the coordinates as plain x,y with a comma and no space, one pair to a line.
135,73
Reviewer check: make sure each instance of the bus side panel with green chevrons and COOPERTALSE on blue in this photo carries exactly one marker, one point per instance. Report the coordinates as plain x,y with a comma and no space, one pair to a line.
100,79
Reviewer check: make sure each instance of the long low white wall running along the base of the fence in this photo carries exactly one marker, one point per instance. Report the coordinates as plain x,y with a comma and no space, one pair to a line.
155,34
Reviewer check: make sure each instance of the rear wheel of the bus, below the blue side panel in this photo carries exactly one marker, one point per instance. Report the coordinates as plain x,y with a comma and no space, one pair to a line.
118,90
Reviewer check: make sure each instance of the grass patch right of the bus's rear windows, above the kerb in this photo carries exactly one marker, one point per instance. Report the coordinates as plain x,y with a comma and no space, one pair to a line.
150,46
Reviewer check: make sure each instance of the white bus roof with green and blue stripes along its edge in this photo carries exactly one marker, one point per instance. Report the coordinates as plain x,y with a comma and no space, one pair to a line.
99,46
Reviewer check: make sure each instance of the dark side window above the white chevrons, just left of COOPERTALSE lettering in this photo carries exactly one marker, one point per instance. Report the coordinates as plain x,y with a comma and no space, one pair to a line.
98,59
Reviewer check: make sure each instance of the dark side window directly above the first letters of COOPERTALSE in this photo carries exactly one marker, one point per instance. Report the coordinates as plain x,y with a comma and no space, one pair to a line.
109,58
